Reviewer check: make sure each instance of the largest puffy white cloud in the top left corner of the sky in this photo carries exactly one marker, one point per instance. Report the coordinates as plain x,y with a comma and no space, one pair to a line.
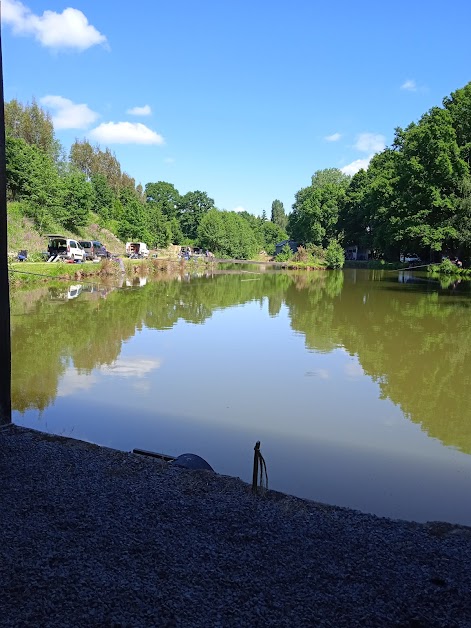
69,29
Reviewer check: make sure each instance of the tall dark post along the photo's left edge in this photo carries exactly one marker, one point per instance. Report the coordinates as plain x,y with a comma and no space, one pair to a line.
5,342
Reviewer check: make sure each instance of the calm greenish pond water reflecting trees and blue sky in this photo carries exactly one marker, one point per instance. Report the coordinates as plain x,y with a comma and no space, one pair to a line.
357,383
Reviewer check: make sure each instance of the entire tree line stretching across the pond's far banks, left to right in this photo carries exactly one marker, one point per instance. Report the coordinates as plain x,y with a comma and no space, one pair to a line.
414,196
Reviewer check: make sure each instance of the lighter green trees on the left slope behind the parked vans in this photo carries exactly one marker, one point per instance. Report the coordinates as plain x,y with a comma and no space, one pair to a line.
57,190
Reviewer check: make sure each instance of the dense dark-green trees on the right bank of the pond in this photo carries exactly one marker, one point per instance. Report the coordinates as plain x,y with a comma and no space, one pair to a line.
414,196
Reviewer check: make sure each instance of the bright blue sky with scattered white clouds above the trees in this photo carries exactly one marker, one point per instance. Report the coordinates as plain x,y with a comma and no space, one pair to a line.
241,99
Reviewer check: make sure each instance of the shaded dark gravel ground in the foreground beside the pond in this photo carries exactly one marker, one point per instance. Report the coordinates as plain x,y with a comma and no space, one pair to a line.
97,537
